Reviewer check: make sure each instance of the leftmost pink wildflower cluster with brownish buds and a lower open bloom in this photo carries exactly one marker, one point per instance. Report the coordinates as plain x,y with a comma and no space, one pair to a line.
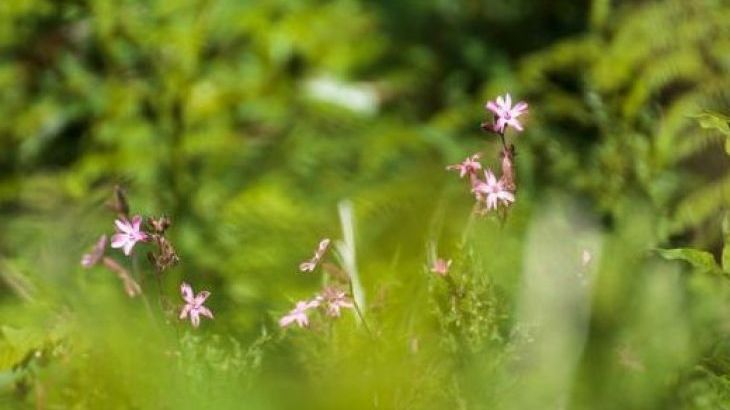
129,233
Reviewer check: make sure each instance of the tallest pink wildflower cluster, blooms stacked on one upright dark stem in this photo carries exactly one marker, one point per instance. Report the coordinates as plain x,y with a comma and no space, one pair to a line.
489,191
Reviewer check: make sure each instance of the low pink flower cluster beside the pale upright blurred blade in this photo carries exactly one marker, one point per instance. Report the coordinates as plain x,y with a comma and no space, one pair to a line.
331,300
